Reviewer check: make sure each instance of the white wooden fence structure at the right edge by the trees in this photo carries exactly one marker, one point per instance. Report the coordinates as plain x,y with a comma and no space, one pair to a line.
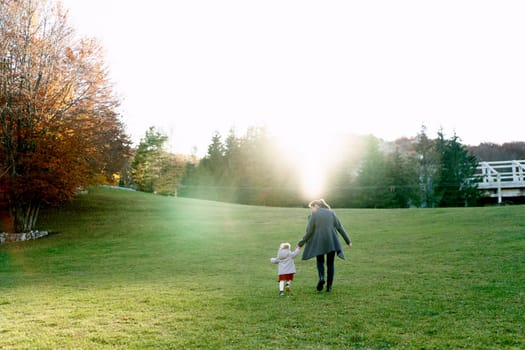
503,178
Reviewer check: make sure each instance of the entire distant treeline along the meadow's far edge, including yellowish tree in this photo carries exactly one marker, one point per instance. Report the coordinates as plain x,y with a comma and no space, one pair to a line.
366,172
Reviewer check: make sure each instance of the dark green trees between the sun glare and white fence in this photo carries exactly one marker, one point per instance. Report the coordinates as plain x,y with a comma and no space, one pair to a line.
420,172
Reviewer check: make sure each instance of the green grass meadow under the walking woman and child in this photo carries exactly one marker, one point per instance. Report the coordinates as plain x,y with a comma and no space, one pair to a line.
130,270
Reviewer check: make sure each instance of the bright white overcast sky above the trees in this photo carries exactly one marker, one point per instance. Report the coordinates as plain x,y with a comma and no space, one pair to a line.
313,70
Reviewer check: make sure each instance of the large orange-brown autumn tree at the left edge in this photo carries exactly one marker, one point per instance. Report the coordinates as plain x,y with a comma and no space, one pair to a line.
58,119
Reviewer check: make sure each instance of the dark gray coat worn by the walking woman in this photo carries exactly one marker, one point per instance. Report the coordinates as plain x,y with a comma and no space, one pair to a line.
321,234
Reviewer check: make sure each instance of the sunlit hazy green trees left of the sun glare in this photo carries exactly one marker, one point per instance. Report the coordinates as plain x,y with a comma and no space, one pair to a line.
247,170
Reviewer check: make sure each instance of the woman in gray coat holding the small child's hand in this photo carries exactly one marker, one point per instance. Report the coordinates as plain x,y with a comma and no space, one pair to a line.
321,239
